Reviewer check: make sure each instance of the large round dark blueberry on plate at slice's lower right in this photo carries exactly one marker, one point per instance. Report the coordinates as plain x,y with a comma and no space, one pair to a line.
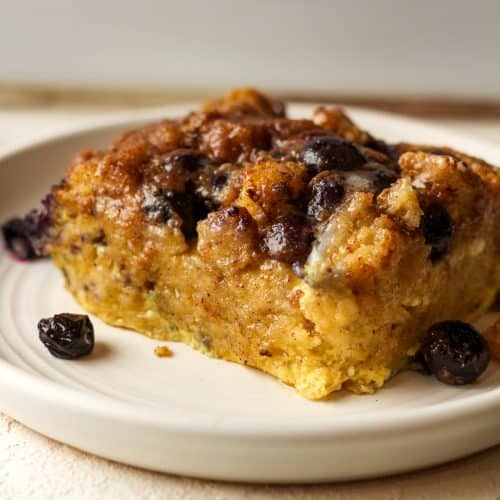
455,352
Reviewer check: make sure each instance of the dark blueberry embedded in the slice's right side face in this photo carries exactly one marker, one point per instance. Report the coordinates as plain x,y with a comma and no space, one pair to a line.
437,228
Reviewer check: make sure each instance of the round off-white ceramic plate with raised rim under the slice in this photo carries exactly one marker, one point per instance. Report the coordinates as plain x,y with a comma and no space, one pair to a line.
203,417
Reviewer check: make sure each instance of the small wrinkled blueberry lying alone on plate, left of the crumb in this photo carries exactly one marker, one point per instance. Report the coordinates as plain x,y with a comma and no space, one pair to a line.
67,336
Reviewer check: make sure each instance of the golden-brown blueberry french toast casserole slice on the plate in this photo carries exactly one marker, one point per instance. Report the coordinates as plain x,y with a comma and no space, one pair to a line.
305,248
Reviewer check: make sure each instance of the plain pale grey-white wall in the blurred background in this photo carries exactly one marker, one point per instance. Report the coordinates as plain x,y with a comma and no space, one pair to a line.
437,47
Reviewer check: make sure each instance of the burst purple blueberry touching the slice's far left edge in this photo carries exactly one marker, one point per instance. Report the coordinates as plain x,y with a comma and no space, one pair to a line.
25,237
